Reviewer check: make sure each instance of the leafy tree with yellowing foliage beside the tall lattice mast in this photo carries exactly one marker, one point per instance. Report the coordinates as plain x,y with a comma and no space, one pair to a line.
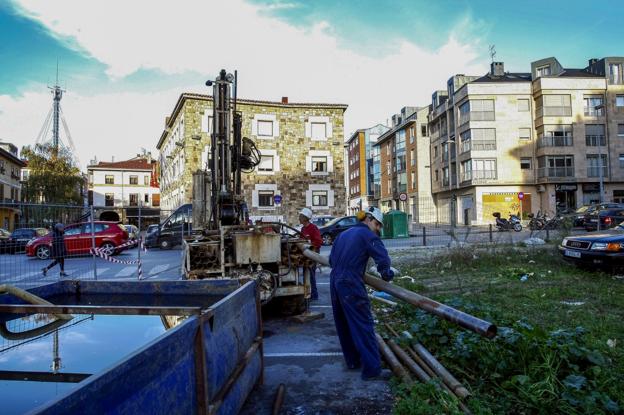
53,178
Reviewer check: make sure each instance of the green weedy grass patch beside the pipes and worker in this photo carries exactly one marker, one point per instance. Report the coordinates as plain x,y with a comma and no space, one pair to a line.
559,348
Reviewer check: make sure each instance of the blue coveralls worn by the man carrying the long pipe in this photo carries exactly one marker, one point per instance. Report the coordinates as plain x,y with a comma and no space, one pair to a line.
352,313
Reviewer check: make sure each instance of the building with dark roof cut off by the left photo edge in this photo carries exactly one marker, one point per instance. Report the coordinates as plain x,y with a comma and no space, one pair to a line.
10,186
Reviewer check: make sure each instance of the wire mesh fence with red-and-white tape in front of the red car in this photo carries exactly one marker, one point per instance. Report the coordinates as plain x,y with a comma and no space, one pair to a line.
93,248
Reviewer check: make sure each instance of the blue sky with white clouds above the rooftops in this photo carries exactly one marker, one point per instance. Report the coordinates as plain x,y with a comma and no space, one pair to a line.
123,64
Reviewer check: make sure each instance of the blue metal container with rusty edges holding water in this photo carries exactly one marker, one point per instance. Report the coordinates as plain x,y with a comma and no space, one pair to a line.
207,364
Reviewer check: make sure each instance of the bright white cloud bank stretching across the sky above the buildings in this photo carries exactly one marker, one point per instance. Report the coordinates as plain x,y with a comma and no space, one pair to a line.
274,59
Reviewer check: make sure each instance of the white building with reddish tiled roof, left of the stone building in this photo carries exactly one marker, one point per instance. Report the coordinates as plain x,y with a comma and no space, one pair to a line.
118,188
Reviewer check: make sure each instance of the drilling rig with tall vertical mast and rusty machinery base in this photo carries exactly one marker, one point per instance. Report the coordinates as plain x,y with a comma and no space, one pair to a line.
224,244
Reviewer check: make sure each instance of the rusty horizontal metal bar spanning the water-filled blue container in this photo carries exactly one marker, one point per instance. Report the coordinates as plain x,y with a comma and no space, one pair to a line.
94,309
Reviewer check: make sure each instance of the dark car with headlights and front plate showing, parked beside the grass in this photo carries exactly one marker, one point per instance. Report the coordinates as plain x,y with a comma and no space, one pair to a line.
604,248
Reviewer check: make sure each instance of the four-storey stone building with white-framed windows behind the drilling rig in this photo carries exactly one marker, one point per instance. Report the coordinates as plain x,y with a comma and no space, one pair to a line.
302,155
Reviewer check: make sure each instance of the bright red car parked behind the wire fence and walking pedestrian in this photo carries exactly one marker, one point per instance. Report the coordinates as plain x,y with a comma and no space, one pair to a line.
108,236
